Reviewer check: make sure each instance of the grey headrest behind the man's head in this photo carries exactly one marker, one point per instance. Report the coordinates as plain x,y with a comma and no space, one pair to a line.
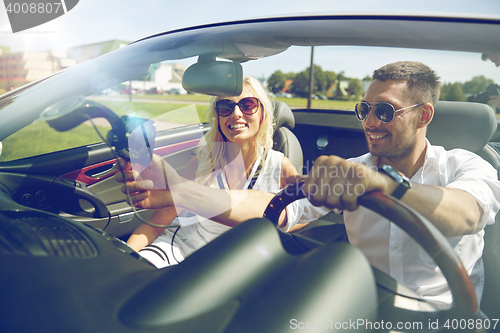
463,125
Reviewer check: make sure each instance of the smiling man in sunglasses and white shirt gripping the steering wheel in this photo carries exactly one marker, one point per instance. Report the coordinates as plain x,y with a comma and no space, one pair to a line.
455,190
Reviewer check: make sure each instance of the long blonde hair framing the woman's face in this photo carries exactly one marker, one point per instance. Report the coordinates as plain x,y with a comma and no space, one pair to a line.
211,153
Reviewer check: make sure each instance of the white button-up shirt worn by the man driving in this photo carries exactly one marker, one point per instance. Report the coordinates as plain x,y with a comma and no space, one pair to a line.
391,250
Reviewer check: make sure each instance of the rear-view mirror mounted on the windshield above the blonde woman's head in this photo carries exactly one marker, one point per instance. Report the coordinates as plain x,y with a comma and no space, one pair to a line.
218,78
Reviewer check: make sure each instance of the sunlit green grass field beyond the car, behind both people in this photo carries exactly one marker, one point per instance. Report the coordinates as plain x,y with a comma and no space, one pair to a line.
39,138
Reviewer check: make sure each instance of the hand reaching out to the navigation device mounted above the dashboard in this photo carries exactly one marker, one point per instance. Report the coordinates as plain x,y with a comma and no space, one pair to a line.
151,188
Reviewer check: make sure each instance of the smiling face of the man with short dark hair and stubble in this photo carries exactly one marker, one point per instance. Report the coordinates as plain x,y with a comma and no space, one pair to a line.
397,139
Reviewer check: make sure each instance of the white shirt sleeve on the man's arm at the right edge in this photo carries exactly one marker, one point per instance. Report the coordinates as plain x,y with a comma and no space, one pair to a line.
477,177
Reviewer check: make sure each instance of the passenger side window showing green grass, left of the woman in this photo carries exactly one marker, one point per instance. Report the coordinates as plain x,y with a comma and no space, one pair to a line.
168,110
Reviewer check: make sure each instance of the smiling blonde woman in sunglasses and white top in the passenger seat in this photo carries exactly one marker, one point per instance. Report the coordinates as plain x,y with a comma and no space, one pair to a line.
236,155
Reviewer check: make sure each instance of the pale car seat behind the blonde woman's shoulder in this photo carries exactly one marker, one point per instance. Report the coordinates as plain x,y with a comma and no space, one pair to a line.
284,140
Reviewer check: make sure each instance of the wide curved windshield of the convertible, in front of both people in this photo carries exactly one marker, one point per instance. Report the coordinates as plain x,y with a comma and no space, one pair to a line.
144,79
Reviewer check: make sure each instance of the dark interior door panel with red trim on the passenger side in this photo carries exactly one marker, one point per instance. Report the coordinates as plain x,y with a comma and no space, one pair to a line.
86,176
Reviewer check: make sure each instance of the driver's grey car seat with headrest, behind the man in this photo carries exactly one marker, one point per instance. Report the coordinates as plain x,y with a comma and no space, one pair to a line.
471,126
